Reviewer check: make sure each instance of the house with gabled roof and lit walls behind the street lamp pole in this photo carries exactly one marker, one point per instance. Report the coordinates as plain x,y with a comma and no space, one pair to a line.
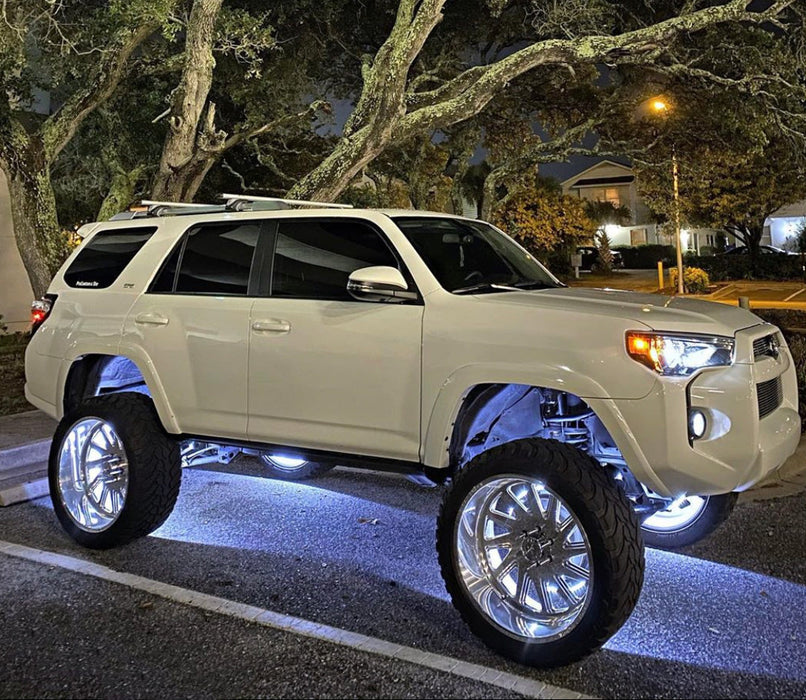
608,181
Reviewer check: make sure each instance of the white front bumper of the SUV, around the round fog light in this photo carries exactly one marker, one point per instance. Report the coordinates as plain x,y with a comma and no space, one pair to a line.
738,448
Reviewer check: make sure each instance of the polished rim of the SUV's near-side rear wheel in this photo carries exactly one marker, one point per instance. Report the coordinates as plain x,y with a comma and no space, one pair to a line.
93,474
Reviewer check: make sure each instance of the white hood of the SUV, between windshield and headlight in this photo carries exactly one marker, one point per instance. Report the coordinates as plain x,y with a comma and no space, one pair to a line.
660,313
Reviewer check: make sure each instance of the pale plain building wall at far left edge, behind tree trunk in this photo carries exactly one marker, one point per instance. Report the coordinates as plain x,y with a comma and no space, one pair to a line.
15,290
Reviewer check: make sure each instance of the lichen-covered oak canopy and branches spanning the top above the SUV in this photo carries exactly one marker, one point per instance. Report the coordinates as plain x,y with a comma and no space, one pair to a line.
185,97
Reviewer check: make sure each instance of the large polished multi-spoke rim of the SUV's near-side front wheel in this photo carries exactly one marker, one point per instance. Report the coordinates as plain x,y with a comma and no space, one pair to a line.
524,558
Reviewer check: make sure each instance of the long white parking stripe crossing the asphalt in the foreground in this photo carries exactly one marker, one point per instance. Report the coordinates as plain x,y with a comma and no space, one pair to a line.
296,625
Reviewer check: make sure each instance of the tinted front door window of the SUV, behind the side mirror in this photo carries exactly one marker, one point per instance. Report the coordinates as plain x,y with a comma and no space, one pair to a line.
313,259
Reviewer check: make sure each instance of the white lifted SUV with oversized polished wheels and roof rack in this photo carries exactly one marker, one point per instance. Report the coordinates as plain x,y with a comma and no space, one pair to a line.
563,422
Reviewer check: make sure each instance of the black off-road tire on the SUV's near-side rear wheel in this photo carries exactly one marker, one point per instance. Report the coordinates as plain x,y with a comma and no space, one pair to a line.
154,463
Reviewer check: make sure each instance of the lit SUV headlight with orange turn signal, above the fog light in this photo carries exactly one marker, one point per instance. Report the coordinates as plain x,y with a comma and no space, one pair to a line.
679,355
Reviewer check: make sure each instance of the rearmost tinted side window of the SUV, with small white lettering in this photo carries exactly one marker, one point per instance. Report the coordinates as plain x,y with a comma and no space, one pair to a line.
100,262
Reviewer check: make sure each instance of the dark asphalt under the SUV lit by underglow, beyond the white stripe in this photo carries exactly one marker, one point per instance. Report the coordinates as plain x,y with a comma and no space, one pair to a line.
723,619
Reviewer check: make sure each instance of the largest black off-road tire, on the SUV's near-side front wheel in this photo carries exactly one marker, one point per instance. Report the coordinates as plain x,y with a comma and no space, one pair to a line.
612,528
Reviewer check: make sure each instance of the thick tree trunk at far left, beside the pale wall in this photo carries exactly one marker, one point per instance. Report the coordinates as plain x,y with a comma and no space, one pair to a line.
36,227
